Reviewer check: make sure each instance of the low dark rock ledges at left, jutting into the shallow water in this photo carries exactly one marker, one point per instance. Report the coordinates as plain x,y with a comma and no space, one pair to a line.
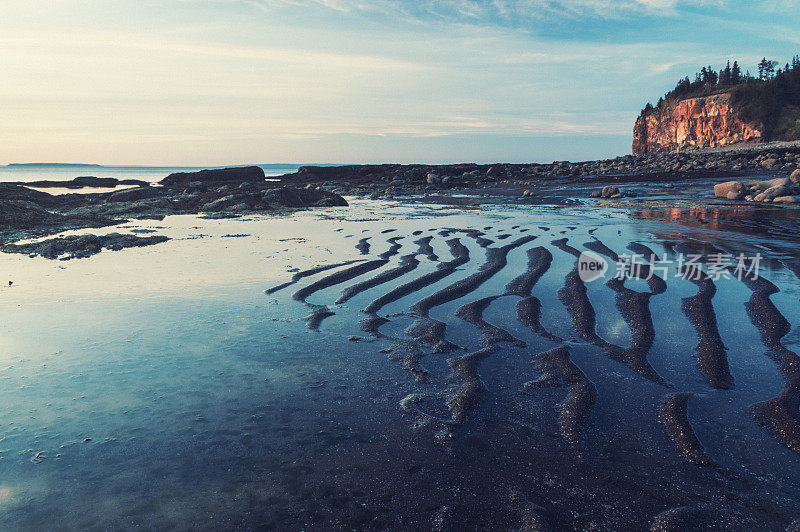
27,213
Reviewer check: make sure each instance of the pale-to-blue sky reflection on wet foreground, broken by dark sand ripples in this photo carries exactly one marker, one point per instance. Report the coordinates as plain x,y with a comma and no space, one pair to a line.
161,386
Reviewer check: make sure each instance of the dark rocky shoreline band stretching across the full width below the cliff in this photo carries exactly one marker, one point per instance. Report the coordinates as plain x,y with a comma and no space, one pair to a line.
662,180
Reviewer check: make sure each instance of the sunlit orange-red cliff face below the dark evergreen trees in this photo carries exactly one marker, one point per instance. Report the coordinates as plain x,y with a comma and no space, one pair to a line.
695,123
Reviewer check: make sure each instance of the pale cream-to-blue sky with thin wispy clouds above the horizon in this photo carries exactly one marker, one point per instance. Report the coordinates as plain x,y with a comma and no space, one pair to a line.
216,82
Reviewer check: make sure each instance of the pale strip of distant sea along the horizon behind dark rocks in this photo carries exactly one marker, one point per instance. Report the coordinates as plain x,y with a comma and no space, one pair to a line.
144,173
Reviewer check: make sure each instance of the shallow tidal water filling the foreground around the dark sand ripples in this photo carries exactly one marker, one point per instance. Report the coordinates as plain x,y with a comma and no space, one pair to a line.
161,387
